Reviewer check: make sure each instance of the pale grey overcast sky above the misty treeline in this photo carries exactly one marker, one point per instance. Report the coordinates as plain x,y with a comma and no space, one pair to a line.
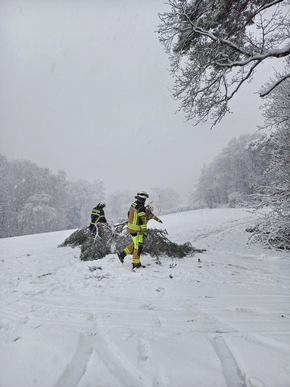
85,89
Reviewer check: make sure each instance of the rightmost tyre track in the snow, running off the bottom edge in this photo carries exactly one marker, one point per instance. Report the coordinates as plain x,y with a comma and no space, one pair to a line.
232,373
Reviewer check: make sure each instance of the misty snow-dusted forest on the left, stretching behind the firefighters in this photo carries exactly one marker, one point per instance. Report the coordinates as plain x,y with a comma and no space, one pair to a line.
34,200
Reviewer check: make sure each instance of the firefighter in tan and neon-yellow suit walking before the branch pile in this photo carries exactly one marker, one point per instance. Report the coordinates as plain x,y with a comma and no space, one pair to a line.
137,227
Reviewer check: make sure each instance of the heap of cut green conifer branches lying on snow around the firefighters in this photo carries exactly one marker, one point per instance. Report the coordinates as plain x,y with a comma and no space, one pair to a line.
111,240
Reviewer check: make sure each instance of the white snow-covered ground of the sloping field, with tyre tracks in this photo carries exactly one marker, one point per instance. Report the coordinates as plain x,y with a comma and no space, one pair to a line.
223,321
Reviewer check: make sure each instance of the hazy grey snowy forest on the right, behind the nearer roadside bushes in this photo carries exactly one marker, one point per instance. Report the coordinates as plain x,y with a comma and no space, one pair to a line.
236,175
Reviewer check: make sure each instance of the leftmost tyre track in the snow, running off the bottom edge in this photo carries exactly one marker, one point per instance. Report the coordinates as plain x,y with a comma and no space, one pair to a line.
78,365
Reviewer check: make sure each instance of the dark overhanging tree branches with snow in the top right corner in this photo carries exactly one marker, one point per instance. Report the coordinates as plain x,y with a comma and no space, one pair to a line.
215,46
